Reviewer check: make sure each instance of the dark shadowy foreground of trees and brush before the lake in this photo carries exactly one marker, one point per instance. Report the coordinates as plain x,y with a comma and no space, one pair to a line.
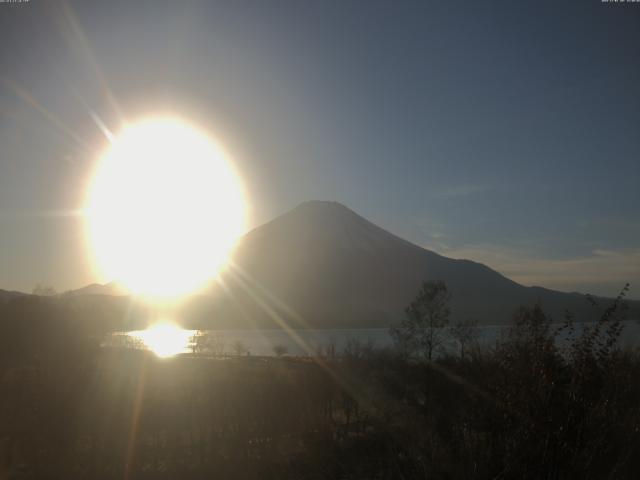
528,407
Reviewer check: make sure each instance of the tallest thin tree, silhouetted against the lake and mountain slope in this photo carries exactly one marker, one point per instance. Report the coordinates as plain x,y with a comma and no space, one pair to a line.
421,331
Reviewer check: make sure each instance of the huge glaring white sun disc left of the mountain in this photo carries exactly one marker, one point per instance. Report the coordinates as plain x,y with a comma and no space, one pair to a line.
164,209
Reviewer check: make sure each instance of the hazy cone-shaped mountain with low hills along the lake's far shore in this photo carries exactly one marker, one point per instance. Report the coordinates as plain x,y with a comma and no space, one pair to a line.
321,265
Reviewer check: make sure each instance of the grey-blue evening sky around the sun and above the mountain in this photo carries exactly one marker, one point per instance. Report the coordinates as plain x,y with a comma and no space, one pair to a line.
502,132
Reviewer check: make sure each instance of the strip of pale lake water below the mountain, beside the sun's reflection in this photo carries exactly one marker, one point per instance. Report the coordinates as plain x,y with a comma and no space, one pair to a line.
309,342
